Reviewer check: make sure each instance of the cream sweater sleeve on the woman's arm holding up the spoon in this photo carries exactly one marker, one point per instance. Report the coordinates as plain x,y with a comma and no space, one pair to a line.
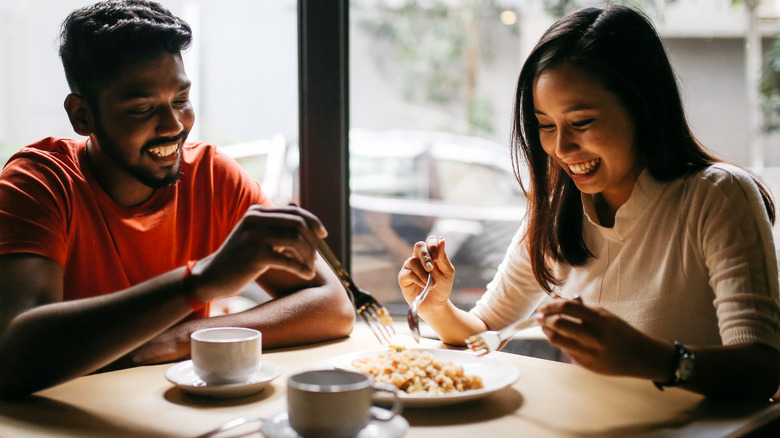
514,292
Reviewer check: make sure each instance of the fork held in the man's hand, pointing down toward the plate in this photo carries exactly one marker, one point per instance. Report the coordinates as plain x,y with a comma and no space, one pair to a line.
373,313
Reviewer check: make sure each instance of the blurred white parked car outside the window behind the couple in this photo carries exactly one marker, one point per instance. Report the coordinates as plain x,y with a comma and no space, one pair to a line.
406,185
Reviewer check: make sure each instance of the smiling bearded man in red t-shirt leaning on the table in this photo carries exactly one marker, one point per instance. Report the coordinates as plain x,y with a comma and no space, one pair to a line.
112,247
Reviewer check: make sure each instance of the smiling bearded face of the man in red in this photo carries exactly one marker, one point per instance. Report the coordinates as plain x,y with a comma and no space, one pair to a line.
142,119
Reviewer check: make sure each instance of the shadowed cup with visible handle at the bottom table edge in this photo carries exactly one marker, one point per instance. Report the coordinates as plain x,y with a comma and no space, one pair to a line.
334,403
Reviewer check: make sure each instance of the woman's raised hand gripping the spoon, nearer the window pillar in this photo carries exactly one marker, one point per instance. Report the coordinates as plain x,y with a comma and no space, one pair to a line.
428,257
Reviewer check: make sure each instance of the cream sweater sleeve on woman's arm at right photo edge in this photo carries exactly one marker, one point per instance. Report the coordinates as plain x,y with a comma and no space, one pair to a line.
735,237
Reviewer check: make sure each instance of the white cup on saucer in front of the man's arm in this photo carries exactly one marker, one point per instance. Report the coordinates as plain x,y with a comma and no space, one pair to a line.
226,355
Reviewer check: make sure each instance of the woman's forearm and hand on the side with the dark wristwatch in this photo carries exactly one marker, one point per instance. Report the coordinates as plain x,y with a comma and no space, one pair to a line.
604,343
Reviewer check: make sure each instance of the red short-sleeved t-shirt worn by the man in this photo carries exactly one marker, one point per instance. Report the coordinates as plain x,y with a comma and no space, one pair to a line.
51,205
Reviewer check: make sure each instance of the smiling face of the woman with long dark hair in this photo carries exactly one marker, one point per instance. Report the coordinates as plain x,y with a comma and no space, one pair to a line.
587,131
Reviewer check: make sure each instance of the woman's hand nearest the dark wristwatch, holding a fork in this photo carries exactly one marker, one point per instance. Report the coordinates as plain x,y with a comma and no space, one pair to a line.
601,342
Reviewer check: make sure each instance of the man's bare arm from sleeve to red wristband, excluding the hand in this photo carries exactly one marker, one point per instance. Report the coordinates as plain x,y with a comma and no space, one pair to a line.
44,341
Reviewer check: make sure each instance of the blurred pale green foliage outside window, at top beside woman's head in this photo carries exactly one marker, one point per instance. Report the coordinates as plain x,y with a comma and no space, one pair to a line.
436,48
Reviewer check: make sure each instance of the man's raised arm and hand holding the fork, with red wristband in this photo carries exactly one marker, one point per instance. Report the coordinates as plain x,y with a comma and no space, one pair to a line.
45,341
